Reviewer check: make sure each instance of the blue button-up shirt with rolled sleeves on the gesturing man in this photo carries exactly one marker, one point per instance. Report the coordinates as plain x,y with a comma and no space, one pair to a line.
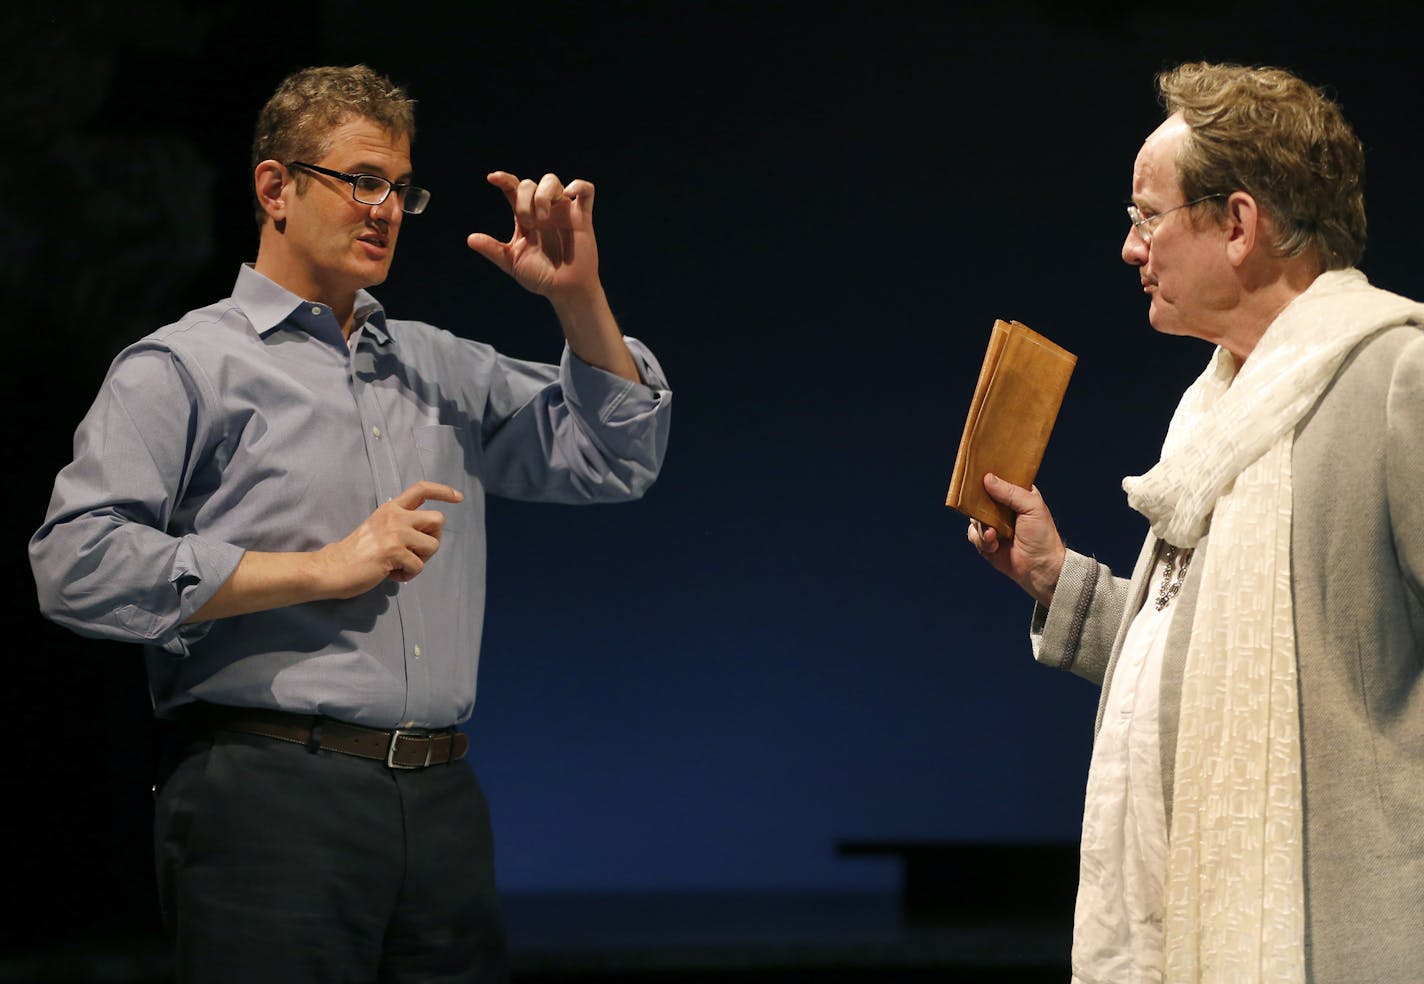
253,425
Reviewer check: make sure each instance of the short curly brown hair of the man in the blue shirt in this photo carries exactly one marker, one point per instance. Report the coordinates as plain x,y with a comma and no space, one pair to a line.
298,122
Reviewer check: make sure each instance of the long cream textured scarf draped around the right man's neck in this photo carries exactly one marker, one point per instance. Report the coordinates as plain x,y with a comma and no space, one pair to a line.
1235,885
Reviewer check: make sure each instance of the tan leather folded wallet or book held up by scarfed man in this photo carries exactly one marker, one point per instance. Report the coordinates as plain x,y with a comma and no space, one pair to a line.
1016,402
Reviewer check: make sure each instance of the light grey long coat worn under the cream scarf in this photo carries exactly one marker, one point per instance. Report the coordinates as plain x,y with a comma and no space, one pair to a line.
1358,582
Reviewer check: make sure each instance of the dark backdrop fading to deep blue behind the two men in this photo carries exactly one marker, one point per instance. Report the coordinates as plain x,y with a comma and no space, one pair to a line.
812,213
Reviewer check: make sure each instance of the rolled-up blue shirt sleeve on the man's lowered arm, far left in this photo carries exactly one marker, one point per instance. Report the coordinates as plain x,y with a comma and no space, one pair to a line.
110,562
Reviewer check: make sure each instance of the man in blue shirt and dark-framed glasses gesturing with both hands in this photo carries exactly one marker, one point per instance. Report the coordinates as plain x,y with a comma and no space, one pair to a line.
283,498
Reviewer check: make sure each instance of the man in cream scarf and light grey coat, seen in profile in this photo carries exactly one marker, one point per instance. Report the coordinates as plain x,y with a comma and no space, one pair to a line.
1255,805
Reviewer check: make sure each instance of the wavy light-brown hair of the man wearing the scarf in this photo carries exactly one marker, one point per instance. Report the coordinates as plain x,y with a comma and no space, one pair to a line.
1284,142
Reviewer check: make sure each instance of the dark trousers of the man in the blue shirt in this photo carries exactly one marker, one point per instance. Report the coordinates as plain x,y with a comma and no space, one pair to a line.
278,864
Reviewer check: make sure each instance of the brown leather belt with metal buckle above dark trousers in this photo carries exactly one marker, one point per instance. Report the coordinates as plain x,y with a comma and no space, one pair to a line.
404,748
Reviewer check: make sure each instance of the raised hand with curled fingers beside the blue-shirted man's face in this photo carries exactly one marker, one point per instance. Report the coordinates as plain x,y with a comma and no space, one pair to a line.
553,250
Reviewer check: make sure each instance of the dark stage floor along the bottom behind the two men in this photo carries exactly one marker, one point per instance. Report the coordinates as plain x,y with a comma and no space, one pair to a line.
651,939
